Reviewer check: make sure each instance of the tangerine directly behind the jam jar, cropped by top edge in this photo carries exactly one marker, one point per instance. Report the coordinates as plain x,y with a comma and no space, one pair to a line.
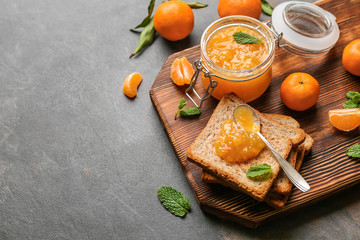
250,8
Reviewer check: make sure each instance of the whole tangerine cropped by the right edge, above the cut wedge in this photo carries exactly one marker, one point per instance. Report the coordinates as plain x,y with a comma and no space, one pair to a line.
351,57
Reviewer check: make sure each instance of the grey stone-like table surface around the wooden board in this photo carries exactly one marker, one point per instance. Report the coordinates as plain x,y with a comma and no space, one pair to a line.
79,160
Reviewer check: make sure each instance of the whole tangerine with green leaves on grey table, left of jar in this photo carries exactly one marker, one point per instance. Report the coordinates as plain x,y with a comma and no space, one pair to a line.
174,20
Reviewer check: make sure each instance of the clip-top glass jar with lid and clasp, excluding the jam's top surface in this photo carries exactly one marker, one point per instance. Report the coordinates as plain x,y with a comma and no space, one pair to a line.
299,27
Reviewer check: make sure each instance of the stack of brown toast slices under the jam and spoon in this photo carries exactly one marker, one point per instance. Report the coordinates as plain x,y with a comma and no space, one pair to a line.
283,133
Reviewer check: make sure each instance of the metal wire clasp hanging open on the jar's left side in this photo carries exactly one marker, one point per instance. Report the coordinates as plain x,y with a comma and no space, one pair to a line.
210,88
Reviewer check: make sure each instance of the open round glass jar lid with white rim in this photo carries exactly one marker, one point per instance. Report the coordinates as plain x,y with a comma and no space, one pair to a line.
306,29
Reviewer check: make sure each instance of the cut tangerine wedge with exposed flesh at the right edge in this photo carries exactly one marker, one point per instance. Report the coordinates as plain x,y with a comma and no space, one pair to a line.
345,119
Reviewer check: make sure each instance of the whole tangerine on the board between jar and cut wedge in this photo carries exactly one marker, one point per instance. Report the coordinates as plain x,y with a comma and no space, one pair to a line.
299,91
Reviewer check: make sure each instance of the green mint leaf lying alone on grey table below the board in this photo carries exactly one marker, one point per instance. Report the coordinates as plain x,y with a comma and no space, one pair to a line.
174,201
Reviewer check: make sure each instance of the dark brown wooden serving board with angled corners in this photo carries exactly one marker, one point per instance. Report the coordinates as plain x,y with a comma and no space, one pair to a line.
327,168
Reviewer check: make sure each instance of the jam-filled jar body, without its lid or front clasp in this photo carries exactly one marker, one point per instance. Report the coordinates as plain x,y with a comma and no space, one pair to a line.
244,69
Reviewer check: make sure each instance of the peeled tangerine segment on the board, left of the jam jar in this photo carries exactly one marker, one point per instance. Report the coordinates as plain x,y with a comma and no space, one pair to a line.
181,71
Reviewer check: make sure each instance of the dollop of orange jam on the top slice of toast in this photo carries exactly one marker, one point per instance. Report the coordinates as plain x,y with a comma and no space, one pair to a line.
238,141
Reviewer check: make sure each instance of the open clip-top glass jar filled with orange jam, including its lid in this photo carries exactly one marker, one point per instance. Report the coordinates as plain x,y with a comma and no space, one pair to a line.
245,69
